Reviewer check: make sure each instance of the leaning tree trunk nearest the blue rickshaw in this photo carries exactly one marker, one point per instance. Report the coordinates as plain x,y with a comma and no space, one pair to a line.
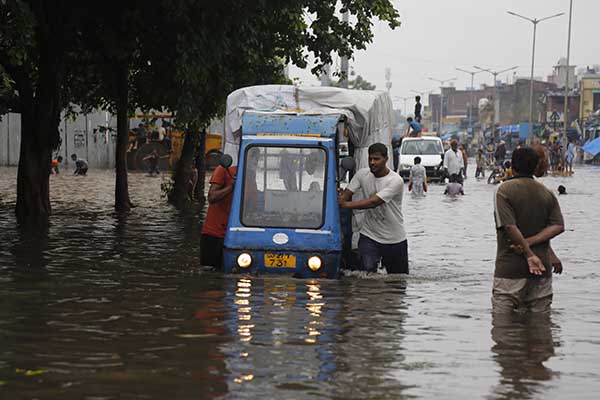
180,195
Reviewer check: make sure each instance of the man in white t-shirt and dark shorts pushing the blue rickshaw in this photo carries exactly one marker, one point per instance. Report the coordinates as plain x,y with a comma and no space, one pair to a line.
382,234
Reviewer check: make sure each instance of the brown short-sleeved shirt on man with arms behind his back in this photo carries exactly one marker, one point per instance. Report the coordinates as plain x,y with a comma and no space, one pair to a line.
529,205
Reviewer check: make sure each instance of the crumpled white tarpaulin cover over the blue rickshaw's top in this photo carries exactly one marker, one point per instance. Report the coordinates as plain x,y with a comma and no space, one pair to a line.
369,112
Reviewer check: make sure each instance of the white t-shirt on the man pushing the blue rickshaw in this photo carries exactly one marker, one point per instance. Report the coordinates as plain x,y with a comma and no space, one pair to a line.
384,223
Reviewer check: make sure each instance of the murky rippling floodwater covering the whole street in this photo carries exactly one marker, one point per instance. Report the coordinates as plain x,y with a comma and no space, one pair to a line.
100,307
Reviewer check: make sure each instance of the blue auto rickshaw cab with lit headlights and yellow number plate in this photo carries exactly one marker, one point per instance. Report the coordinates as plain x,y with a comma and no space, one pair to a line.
284,216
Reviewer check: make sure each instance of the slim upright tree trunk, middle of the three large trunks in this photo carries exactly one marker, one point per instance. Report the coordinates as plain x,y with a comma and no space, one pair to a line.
122,202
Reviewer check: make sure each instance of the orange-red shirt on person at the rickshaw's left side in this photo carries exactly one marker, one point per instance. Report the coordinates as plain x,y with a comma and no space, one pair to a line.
217,215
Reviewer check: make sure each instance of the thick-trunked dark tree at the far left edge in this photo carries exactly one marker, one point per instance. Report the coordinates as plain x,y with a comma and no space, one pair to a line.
34,36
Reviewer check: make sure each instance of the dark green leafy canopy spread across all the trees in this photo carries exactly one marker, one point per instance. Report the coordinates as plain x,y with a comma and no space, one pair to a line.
183,56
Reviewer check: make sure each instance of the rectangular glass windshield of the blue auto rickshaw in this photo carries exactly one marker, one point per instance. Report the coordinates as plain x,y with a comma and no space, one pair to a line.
284,187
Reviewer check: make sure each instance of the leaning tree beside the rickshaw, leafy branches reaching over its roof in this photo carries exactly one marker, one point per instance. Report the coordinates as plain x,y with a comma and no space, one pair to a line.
252,45
